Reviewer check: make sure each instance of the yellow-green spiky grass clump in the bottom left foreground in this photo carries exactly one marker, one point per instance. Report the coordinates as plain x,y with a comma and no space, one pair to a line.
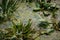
17,32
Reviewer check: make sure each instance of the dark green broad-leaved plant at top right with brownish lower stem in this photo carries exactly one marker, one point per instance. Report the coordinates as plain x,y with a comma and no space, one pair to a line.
43,6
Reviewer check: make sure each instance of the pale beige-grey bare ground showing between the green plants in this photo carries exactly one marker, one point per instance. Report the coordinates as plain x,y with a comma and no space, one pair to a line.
24,13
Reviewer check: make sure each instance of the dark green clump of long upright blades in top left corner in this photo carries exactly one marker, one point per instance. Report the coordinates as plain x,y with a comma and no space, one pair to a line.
8,7
